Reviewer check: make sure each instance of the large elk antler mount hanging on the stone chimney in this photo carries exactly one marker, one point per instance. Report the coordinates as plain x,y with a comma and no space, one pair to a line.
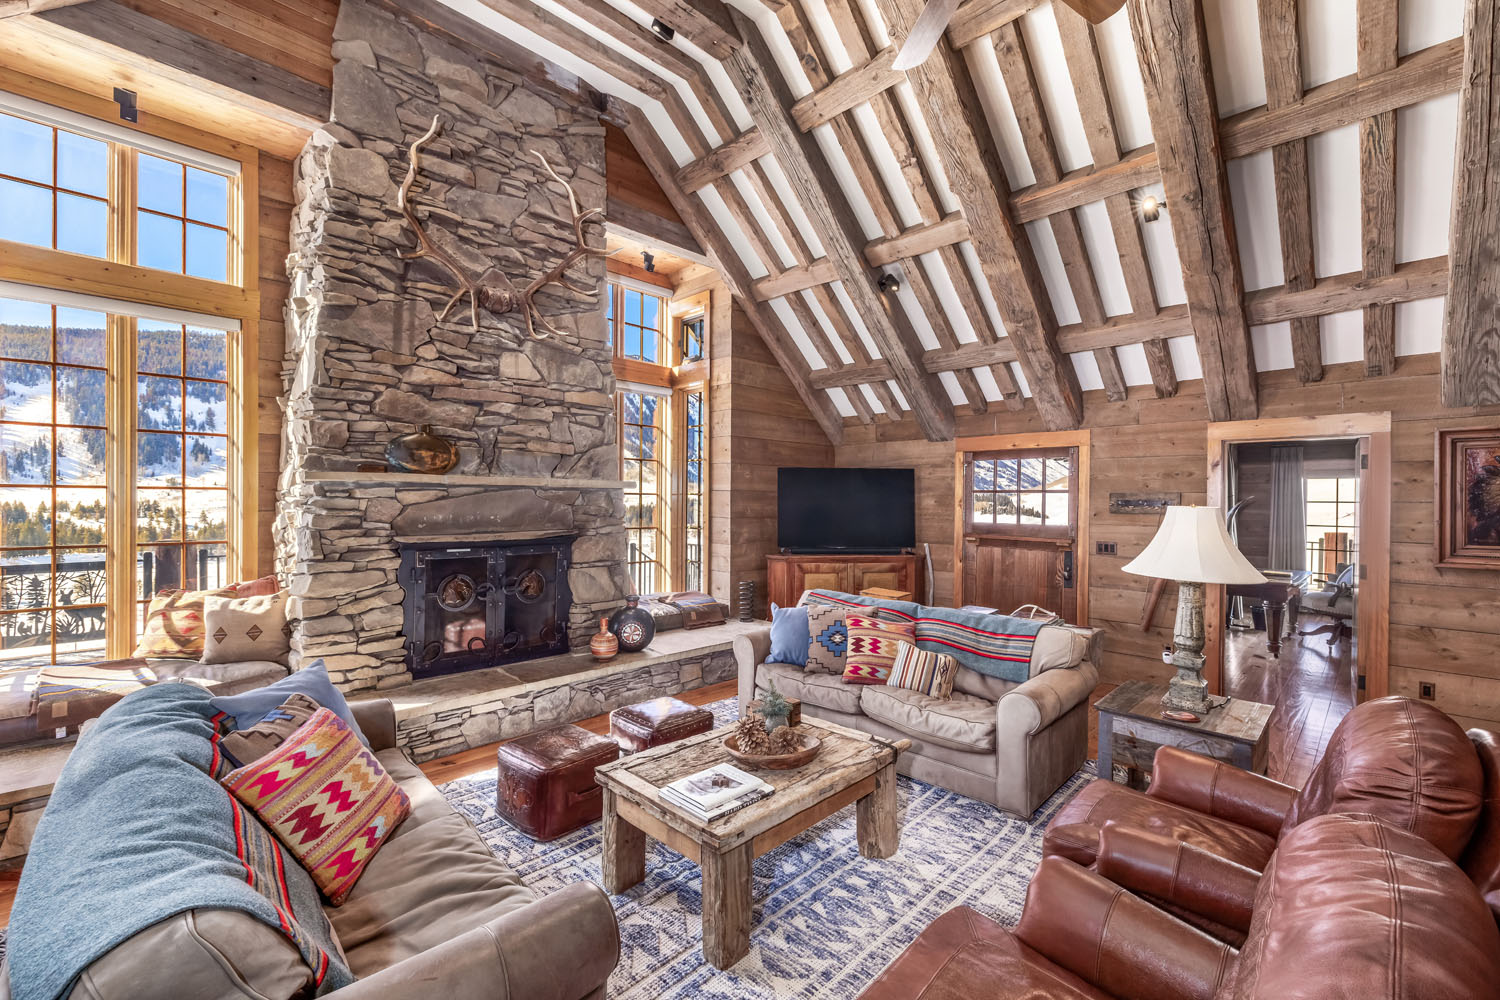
499,299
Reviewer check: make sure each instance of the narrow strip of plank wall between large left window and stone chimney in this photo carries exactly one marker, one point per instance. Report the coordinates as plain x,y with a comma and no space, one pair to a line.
275,236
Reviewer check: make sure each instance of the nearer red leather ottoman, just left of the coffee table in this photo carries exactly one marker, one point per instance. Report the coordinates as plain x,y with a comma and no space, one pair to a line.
547,788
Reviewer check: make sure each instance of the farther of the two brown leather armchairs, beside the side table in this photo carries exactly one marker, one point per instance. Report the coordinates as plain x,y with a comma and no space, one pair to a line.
1397,759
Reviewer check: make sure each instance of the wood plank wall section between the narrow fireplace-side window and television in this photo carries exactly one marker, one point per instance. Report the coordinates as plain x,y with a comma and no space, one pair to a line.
758,424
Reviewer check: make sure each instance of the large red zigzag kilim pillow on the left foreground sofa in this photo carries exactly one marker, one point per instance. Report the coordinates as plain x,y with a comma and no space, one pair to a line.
326,798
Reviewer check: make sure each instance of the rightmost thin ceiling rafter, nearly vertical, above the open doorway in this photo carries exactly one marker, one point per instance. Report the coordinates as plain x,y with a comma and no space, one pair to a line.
1378,181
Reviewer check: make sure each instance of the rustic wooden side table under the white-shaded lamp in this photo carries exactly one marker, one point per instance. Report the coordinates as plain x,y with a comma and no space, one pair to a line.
1132,729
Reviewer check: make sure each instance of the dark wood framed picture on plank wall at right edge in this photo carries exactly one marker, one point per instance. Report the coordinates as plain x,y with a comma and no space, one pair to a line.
1468,513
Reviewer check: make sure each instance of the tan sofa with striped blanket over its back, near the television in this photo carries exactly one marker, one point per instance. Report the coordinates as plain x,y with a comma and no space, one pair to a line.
1000,741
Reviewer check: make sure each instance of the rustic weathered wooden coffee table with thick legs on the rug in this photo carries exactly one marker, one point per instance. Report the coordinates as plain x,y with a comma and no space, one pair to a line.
853,768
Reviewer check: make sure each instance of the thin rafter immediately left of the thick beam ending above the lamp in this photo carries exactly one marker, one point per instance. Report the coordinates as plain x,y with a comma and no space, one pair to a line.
1082,53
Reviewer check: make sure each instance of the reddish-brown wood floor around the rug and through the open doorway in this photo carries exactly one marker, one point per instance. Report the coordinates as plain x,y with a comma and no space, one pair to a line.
1310,689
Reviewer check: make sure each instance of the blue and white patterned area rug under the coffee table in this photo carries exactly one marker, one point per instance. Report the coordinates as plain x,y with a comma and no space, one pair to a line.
826,921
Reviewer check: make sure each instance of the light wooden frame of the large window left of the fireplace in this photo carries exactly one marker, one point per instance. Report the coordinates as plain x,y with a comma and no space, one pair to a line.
119,278
